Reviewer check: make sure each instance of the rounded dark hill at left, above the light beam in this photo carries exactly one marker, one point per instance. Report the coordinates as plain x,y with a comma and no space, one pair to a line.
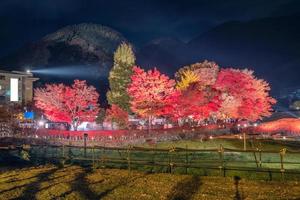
72,45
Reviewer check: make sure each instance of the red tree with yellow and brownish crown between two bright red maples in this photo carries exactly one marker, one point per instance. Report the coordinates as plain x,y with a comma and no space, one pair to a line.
197,99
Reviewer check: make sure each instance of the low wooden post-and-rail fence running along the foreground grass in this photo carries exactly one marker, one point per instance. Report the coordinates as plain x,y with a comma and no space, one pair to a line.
256,163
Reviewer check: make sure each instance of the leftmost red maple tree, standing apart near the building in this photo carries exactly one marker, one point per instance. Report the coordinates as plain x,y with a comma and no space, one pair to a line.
71,104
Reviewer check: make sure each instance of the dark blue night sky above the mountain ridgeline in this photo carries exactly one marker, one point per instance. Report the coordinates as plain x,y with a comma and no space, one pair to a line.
24,21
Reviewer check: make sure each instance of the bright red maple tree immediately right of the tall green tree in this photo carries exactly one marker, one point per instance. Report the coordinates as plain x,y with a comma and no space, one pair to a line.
149,92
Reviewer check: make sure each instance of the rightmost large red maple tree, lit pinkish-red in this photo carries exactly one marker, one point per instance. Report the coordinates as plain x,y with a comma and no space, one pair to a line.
243,96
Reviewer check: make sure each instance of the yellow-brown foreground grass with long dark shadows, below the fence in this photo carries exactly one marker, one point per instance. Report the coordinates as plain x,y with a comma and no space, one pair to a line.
74,182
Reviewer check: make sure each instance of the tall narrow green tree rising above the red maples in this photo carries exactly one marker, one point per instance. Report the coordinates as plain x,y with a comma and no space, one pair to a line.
119,77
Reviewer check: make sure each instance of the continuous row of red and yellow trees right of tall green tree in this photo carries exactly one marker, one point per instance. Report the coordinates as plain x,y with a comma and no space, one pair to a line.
203,91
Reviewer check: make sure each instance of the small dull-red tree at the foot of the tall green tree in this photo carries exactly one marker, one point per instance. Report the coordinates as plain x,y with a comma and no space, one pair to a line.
116,115
